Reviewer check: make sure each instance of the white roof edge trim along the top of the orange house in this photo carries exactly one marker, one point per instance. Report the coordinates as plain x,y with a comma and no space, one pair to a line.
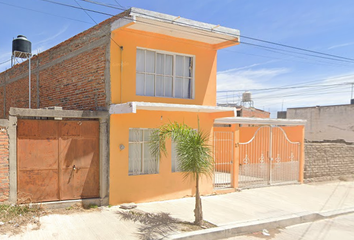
184,22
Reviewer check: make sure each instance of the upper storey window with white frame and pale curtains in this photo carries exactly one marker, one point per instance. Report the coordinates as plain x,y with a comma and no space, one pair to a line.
162,74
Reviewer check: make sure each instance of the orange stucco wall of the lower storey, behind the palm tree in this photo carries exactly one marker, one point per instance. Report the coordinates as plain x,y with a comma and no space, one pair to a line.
150,187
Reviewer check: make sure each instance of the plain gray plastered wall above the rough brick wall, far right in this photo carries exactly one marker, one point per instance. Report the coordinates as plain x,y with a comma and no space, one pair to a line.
327,122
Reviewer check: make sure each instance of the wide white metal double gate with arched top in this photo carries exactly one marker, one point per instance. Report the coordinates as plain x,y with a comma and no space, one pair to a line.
269,158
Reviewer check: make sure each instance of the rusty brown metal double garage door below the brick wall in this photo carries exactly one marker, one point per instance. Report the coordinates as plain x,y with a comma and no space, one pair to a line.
57,160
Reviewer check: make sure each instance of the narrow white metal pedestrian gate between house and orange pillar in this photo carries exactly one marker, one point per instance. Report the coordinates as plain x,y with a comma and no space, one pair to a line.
223,157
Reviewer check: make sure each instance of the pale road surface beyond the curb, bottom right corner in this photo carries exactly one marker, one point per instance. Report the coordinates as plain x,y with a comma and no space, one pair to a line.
341,227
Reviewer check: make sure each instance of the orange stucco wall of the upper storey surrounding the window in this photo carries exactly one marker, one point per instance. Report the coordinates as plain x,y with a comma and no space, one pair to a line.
123,83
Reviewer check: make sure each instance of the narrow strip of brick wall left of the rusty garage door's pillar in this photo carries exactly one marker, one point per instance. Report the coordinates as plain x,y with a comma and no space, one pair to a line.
4,165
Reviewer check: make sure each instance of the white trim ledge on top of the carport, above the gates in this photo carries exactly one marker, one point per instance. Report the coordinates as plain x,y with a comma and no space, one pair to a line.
259,121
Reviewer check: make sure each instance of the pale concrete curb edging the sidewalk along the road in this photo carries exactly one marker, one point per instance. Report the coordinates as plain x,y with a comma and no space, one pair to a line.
232,230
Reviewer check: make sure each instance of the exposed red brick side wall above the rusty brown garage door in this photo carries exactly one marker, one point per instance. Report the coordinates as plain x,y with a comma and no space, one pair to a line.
74,74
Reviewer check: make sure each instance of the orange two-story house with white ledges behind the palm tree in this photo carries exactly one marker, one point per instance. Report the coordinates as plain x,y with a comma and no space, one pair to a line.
163,69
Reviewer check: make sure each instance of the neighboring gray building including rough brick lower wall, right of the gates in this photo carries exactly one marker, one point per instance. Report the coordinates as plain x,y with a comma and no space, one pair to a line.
329,149
